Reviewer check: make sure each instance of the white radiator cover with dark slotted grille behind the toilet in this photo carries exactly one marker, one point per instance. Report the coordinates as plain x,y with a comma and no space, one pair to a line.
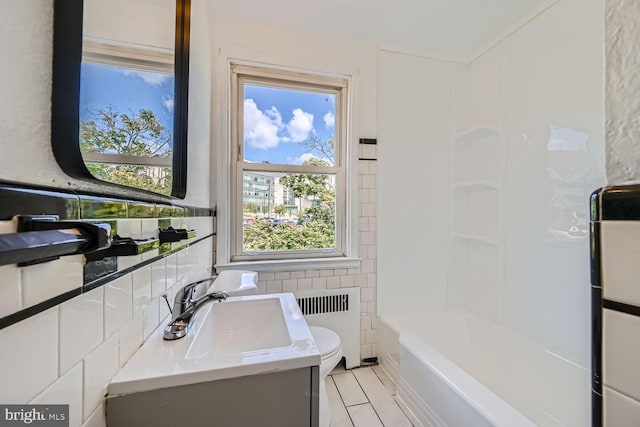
338,310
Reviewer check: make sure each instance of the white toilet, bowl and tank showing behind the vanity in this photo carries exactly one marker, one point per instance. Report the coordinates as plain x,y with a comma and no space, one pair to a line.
243,282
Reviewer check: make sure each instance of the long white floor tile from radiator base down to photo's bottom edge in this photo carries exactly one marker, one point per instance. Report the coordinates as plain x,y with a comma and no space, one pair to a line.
386,408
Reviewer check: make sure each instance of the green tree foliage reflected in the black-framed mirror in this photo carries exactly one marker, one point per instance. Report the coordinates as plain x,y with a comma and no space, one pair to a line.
137,134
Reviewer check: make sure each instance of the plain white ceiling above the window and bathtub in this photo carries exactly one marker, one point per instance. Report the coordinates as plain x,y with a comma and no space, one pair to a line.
455,29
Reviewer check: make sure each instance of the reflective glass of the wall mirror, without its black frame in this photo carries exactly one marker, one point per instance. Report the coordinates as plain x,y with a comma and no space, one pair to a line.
127,92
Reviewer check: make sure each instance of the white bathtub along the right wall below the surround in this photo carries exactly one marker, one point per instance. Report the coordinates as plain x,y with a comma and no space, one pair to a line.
453,368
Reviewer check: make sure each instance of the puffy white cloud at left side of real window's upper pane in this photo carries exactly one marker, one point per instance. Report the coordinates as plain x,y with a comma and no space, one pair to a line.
261,128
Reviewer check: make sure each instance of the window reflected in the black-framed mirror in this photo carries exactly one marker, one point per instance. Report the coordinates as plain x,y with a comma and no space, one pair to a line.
126,116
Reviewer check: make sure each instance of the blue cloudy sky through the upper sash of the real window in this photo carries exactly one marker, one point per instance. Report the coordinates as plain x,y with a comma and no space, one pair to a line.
277,121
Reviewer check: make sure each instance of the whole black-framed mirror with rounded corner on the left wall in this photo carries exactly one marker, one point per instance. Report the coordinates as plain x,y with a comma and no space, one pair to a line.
120,92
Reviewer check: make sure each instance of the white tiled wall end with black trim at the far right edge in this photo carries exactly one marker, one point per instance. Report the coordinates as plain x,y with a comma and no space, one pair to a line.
615,237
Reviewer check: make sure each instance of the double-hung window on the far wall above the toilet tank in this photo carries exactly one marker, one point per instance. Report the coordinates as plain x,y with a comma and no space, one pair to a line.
288,152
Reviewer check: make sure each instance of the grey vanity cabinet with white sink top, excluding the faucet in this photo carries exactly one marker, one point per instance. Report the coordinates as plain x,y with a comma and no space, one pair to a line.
247,361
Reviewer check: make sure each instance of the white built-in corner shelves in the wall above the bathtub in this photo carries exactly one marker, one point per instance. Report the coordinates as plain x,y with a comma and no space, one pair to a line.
477,231
